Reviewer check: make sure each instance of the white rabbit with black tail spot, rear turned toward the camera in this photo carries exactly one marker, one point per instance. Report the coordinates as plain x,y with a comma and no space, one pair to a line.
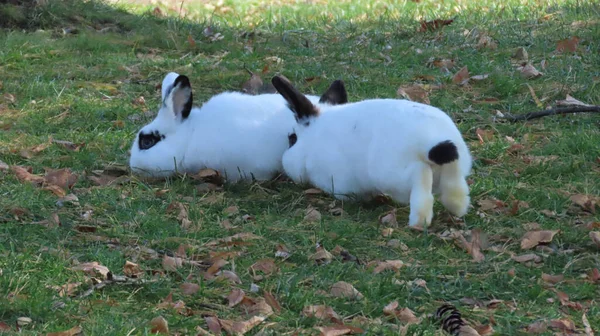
401,148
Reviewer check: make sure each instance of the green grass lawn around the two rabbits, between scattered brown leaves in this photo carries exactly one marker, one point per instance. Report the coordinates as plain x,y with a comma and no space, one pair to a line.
80,88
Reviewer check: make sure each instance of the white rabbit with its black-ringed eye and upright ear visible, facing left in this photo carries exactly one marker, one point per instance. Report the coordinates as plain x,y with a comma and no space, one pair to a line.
241,136
